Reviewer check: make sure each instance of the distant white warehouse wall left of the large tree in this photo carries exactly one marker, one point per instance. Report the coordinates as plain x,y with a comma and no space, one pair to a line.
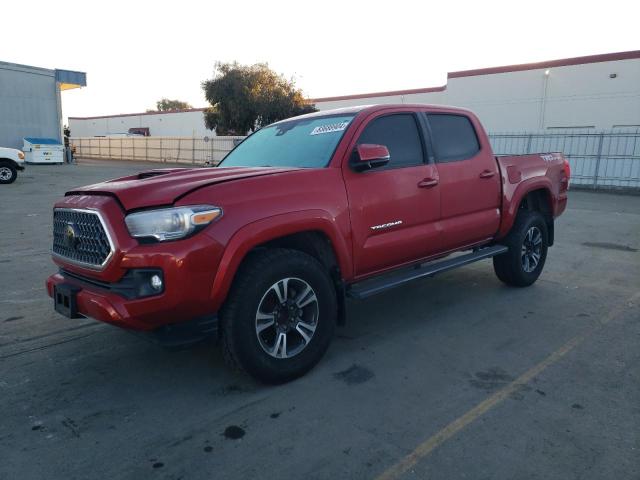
174,124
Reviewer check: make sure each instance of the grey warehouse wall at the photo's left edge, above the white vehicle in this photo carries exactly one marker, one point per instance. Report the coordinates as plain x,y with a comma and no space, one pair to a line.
28,104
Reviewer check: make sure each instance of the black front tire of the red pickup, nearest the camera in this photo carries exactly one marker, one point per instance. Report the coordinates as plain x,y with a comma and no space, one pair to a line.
245,348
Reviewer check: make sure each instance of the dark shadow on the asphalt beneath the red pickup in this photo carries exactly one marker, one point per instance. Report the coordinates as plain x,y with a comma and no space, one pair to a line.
462,297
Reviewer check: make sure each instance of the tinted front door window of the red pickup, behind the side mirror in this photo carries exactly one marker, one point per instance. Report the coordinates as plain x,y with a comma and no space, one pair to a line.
399,133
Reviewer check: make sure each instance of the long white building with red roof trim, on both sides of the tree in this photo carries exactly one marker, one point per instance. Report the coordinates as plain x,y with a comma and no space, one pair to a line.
595,92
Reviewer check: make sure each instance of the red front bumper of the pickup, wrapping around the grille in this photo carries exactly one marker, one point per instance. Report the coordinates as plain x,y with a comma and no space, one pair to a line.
187,266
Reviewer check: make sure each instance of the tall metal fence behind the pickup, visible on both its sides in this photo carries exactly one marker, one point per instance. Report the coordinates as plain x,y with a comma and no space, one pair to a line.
604,159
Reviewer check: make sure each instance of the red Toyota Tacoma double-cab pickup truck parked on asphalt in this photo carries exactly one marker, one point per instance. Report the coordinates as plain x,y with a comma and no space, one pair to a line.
263,249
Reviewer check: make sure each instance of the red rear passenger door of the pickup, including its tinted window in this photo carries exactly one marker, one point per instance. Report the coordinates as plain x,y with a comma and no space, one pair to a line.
469,179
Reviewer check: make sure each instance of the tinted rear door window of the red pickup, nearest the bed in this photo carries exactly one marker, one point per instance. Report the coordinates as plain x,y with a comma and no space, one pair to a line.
453,137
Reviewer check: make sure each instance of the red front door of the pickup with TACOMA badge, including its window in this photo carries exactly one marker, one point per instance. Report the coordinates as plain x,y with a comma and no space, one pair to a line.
394,209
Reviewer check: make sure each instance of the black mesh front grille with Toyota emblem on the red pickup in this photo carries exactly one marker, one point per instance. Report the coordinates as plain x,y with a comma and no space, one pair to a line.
80,237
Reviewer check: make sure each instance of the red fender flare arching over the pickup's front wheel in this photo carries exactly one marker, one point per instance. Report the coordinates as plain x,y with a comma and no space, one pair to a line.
271,228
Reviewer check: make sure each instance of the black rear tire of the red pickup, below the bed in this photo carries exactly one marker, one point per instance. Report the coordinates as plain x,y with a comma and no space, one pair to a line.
511,267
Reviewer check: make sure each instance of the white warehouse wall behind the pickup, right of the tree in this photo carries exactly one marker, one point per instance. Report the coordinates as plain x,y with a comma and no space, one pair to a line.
568,97
